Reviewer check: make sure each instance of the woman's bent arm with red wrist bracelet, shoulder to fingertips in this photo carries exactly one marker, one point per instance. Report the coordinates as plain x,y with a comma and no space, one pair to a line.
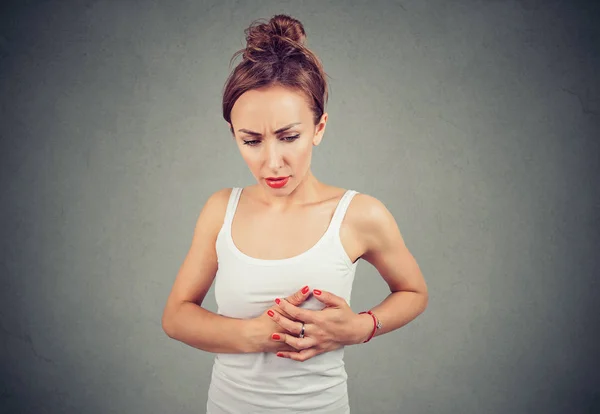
337,324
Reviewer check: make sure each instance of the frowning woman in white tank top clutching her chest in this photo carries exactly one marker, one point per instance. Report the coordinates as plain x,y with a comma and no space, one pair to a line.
288,237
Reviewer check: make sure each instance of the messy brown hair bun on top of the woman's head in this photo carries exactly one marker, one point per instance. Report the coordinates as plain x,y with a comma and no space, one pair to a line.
273,37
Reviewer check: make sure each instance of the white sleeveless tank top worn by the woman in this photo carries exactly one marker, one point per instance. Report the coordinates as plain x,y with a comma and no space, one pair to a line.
245,287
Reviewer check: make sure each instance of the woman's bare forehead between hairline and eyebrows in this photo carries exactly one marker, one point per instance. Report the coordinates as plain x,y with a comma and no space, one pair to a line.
273,104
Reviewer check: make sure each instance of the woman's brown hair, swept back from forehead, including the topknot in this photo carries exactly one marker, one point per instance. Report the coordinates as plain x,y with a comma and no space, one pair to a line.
275,55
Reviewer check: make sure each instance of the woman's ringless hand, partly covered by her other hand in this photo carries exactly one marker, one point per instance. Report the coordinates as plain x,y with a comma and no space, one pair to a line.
262,327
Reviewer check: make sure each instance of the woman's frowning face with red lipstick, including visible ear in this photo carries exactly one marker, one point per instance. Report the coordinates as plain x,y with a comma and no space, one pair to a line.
274,131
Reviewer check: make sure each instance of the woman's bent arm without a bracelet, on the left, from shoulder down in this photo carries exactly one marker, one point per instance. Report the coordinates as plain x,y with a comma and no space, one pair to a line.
185,320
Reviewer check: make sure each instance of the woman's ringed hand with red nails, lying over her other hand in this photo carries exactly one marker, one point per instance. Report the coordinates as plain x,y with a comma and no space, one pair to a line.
325,330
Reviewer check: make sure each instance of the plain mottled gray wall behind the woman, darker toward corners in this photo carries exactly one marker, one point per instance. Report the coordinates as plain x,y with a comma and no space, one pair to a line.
477,123
